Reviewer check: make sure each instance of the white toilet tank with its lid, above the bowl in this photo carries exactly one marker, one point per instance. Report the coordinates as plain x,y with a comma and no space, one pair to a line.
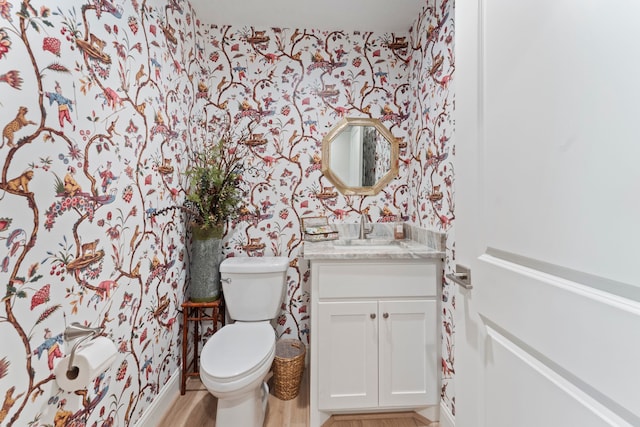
254,286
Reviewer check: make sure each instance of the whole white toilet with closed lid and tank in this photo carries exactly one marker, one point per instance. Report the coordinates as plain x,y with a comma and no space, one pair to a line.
236,359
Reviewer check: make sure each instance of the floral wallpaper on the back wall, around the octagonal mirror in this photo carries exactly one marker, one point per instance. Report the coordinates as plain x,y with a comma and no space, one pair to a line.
286,88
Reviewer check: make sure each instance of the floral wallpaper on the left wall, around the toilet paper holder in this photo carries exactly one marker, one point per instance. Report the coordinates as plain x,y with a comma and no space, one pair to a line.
95,100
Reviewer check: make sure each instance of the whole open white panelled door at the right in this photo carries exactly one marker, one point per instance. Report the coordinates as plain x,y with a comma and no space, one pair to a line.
548,213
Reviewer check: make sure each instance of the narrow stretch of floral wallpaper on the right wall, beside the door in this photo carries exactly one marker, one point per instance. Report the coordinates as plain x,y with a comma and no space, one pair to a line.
430,155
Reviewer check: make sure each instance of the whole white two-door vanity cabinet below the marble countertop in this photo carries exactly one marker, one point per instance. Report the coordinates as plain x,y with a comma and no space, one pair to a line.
375,339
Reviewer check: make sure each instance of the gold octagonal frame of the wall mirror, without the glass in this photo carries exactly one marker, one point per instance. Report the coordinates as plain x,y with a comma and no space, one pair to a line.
326,156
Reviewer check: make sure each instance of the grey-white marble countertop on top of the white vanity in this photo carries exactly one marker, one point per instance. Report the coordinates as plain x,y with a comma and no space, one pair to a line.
418,246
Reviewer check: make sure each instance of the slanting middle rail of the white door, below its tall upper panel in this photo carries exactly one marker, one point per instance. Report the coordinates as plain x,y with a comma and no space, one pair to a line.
573,329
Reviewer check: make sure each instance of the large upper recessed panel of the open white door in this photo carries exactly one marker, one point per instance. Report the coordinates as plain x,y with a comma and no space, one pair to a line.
560,119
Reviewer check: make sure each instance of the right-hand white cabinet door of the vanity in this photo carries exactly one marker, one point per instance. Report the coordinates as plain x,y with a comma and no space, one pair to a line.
408,345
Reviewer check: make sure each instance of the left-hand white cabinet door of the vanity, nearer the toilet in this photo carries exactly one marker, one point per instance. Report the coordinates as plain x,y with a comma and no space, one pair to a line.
347,355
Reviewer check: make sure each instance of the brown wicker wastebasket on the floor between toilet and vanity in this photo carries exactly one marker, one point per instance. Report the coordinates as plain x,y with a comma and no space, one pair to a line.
288,366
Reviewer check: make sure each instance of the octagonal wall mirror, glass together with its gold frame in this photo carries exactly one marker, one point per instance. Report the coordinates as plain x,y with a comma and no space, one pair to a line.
359,156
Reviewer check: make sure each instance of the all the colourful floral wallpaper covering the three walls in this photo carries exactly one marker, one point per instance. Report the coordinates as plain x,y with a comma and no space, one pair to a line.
102,102
